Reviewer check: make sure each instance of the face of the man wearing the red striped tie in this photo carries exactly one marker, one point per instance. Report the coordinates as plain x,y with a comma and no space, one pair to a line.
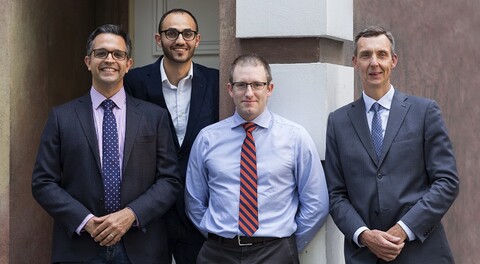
249,103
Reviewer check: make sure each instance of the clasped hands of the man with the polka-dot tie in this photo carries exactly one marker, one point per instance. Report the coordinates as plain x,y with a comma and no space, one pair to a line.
109,229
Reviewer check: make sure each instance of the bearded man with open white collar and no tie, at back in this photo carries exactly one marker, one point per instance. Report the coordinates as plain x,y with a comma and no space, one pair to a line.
189,92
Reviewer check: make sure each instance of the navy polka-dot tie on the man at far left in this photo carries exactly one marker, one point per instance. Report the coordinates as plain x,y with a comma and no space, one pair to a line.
111,159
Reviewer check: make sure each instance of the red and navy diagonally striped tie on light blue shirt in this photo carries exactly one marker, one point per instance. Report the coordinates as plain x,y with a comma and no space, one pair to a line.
248,211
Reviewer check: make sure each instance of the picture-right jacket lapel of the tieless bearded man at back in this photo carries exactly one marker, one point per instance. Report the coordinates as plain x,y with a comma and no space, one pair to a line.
196,101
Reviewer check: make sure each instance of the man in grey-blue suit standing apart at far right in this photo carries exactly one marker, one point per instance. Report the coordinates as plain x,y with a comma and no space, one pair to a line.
390,166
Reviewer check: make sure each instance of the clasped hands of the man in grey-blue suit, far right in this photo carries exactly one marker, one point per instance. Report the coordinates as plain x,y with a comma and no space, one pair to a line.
384,245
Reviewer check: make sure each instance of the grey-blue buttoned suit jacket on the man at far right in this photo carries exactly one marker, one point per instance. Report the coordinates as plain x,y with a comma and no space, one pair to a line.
415,179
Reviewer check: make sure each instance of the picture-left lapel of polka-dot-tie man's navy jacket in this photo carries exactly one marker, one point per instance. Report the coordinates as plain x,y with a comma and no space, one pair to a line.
85,116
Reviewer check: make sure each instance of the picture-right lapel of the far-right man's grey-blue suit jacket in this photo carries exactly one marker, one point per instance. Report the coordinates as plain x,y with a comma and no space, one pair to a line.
398,111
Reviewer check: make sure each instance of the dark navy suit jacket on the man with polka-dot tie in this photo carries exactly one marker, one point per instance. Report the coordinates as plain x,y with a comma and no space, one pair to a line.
67,179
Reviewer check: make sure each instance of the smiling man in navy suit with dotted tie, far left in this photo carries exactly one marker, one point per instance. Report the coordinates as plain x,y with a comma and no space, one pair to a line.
70,178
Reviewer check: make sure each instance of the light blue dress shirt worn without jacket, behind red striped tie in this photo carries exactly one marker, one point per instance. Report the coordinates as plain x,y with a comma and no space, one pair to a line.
292,192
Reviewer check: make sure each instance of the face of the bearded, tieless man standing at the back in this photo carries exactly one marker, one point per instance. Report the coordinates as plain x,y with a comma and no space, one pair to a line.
179,50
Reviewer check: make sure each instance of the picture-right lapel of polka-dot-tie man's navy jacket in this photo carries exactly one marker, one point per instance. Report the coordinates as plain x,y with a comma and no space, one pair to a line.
133,120
